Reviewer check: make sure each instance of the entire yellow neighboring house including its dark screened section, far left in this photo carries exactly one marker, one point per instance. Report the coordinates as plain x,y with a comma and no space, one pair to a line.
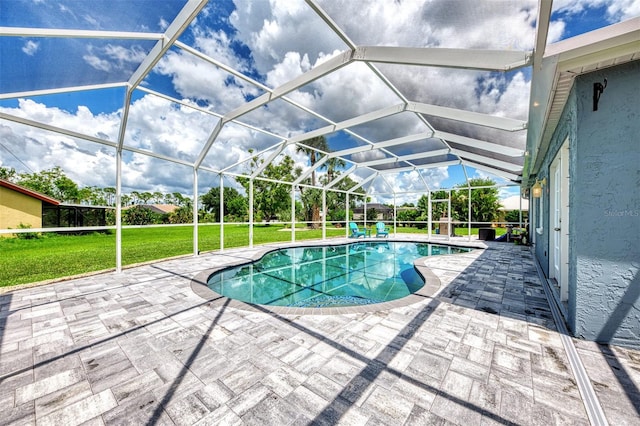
23,206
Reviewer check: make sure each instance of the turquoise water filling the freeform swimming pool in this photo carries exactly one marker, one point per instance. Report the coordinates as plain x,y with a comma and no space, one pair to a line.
329,276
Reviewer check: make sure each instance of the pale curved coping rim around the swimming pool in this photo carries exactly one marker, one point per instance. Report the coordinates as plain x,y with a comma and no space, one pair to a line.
430,288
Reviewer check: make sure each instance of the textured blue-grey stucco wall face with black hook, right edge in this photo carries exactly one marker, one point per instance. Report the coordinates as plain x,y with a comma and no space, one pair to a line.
605,208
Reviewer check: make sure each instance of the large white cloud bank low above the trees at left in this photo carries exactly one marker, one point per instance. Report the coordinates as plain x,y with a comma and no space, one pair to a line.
154,124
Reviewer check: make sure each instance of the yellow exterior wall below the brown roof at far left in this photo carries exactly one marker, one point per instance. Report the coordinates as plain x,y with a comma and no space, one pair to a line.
17,208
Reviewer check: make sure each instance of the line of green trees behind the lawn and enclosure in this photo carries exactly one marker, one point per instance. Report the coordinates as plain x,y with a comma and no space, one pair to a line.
272,195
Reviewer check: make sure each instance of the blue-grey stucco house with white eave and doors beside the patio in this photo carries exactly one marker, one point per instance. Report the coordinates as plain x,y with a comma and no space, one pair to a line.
585,209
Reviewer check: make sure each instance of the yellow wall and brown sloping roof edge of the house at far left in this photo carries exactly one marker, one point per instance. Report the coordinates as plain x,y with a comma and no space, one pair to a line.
22,206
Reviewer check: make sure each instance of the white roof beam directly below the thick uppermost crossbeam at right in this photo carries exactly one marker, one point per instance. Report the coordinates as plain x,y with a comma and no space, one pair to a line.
486,120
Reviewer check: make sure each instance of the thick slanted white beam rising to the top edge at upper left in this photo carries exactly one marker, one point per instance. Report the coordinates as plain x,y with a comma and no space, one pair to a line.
175,29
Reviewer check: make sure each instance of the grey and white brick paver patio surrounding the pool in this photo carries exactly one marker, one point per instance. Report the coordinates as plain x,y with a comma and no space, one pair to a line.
140,347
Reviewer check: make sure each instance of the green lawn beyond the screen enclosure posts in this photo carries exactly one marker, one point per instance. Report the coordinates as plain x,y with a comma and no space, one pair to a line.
57,256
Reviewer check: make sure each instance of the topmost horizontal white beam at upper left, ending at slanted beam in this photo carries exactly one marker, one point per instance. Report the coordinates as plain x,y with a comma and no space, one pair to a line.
69,33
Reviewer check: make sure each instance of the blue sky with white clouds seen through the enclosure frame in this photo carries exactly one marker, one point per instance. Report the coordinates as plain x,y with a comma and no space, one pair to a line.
270,42
